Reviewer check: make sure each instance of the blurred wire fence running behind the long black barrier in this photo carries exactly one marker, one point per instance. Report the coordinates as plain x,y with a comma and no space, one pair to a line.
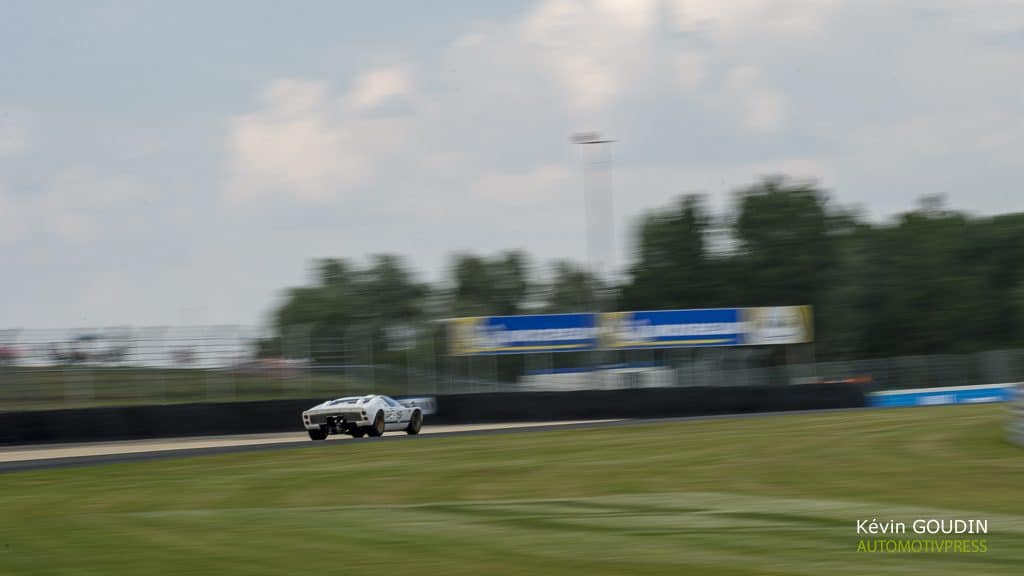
44,369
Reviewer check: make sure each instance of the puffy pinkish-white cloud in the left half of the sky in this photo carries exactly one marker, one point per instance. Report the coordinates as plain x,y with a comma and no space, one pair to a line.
312,146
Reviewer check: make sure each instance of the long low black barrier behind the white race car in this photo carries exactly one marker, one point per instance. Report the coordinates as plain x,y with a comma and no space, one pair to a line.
283,416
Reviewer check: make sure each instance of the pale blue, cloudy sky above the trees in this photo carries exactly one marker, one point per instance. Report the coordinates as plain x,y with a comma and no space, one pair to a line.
167,163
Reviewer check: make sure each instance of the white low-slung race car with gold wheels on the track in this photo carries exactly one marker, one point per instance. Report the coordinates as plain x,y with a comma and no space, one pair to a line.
363,416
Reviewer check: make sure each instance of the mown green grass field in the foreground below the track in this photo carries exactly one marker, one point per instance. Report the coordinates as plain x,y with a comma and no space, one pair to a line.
754,497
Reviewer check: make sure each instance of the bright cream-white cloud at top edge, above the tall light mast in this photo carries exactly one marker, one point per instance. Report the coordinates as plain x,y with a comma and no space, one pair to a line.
608,54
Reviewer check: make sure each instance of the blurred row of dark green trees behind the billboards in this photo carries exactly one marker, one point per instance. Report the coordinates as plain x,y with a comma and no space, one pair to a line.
929,281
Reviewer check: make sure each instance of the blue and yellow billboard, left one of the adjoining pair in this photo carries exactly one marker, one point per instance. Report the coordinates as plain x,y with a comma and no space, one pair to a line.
519,335
